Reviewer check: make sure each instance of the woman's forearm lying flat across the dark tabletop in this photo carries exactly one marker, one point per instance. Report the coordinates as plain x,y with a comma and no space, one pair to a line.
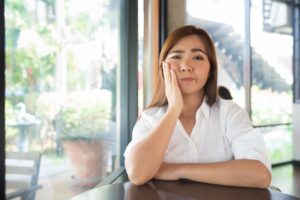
244,173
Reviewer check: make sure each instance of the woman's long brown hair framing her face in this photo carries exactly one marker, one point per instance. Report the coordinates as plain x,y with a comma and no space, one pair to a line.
210,88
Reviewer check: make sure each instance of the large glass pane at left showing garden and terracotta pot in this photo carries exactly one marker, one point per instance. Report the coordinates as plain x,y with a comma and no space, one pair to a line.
61,63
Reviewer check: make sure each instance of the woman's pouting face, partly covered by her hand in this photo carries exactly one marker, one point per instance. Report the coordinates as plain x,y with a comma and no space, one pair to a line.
189,60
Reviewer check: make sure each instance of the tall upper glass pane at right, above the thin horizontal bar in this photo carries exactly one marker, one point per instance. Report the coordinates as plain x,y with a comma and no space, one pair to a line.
272,77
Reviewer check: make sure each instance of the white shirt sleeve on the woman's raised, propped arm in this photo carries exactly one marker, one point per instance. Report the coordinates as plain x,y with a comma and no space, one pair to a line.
140,130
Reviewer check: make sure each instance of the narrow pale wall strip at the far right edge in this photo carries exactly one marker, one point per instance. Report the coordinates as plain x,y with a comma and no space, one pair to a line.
296,126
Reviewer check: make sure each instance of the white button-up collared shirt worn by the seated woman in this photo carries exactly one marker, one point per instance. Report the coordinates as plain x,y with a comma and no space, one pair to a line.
222,132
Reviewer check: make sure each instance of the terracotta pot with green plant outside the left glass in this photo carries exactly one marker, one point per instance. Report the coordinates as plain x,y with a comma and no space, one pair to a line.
87,136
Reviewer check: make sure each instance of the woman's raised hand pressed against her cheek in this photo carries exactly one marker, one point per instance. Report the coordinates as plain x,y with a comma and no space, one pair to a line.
172,89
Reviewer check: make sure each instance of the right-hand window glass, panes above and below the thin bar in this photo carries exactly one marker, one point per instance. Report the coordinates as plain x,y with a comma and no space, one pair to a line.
272,77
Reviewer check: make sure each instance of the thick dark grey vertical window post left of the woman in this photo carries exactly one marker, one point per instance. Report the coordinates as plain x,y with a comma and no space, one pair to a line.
128,73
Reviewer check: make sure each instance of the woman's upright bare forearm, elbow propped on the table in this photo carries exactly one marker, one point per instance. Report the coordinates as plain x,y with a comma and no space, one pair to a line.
144,160
